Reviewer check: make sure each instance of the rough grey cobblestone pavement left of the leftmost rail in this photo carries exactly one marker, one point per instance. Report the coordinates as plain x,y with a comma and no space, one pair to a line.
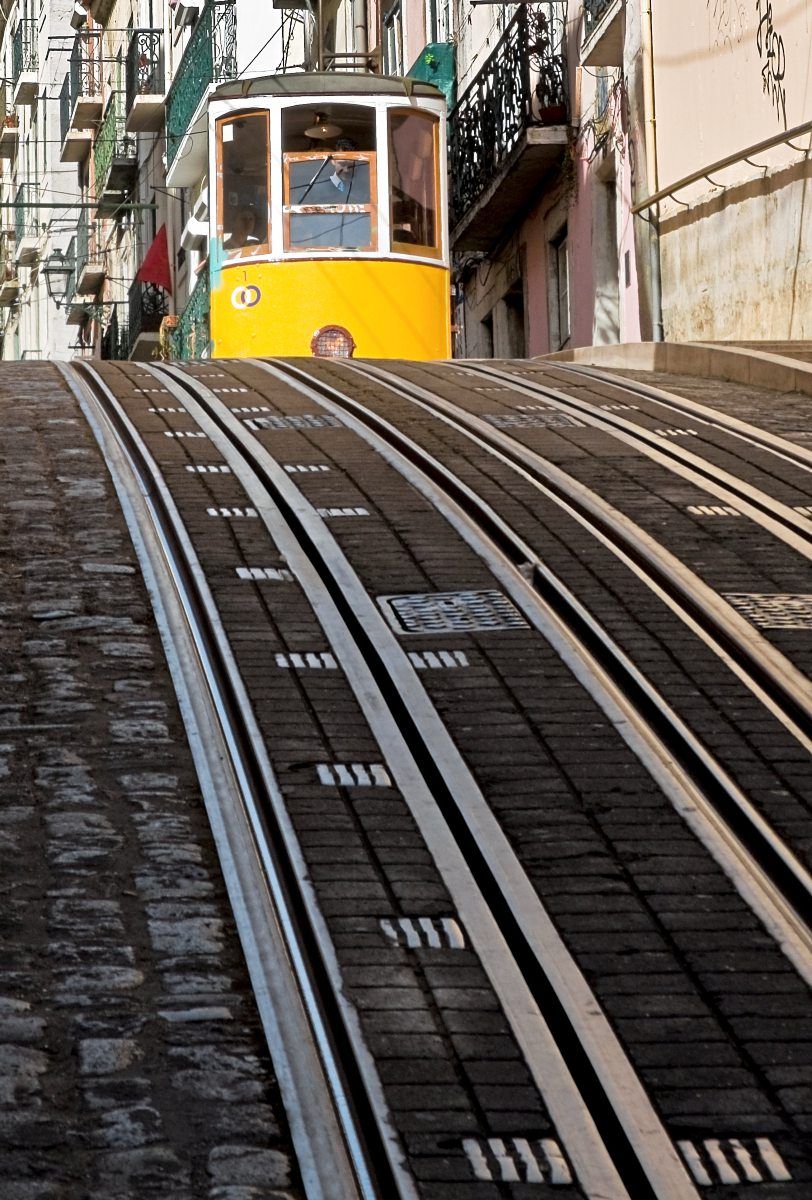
133,1063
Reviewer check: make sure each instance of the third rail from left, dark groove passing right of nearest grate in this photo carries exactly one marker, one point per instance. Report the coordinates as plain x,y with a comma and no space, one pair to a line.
783,896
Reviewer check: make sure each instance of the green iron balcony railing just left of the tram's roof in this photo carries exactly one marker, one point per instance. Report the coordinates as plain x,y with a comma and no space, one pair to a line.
210,57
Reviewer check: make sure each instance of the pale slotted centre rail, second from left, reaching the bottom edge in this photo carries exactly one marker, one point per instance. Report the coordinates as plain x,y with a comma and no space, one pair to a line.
582,1072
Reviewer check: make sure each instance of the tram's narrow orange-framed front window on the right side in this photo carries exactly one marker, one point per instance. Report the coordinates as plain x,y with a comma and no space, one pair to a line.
413,167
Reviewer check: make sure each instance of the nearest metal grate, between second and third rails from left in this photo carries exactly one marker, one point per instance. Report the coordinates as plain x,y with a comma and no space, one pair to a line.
452,613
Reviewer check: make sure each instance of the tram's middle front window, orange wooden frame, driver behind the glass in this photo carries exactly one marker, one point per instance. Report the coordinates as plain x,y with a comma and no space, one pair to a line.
329,160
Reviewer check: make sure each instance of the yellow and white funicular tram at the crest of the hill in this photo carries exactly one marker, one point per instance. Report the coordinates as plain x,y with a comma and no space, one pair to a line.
329,218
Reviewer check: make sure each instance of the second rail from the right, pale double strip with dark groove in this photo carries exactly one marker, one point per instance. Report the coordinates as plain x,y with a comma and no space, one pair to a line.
777,518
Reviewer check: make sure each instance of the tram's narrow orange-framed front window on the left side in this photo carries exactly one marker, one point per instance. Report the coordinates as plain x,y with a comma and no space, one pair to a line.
243,149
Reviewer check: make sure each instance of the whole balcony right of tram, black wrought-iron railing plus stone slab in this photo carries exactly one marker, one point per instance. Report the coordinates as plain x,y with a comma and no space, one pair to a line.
509,129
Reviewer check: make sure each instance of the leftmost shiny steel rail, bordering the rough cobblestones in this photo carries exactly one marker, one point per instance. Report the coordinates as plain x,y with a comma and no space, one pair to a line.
304,1017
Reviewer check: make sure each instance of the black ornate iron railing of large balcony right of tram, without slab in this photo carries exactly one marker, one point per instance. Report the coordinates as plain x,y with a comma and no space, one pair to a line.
522,83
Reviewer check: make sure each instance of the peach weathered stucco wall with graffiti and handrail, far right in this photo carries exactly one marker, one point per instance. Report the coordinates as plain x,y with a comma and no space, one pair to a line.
737,262
